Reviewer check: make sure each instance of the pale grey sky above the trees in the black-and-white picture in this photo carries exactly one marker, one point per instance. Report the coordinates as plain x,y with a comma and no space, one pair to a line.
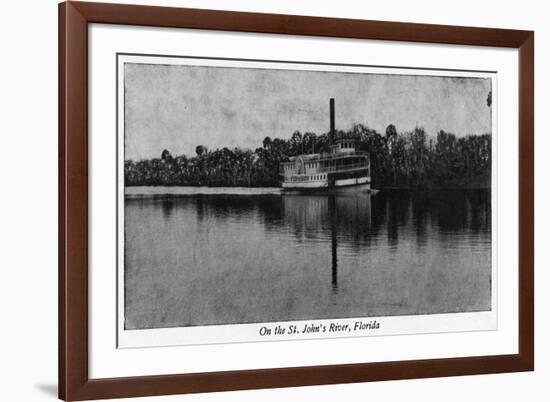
178,107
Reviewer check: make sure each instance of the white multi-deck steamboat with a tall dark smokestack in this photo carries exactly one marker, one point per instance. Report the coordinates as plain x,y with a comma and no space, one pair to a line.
341,169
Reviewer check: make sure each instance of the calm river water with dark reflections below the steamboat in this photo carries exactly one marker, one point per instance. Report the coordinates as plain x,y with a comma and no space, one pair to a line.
221,259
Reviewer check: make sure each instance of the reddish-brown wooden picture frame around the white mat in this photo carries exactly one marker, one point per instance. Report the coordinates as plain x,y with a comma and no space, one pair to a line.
74,17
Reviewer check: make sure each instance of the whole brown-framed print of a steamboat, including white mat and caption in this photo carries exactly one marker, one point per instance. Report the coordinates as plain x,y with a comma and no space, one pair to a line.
259,200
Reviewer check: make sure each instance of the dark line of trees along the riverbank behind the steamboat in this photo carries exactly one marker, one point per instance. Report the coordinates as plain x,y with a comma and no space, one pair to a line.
409,159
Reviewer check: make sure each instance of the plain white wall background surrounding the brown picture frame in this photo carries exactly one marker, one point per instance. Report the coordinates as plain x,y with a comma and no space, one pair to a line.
28,201
